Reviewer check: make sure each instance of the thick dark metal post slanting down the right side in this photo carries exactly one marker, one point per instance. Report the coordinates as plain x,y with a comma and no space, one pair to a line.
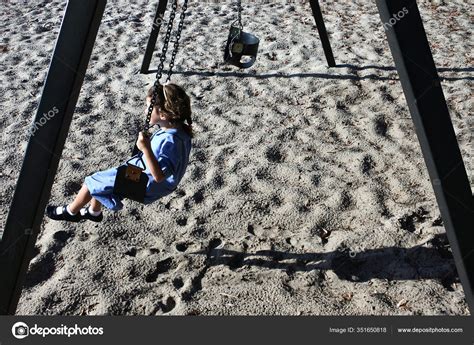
423,92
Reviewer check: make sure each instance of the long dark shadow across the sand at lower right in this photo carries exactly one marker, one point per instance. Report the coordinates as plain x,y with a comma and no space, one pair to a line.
351,266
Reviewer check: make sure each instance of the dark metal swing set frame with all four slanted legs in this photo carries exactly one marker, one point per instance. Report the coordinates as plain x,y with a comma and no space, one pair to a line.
419,79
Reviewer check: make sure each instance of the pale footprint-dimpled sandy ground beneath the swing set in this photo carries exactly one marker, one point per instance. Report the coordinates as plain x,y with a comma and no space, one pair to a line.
284,150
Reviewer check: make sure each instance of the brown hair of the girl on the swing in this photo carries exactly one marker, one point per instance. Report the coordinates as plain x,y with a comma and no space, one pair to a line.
175,104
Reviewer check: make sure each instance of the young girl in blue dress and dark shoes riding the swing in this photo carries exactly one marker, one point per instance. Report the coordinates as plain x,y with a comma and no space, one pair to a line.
166,156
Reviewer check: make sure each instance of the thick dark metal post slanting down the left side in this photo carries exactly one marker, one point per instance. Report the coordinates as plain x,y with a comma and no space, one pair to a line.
64,80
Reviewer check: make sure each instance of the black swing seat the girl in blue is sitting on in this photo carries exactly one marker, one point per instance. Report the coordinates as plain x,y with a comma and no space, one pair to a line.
131,182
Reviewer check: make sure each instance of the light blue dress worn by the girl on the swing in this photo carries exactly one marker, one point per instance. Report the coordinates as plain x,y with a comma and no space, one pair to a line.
171,147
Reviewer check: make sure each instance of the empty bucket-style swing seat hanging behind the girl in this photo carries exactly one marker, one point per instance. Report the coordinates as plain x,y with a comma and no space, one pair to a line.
241,48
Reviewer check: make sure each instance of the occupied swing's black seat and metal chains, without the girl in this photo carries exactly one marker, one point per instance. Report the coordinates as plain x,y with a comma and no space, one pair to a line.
130,181
